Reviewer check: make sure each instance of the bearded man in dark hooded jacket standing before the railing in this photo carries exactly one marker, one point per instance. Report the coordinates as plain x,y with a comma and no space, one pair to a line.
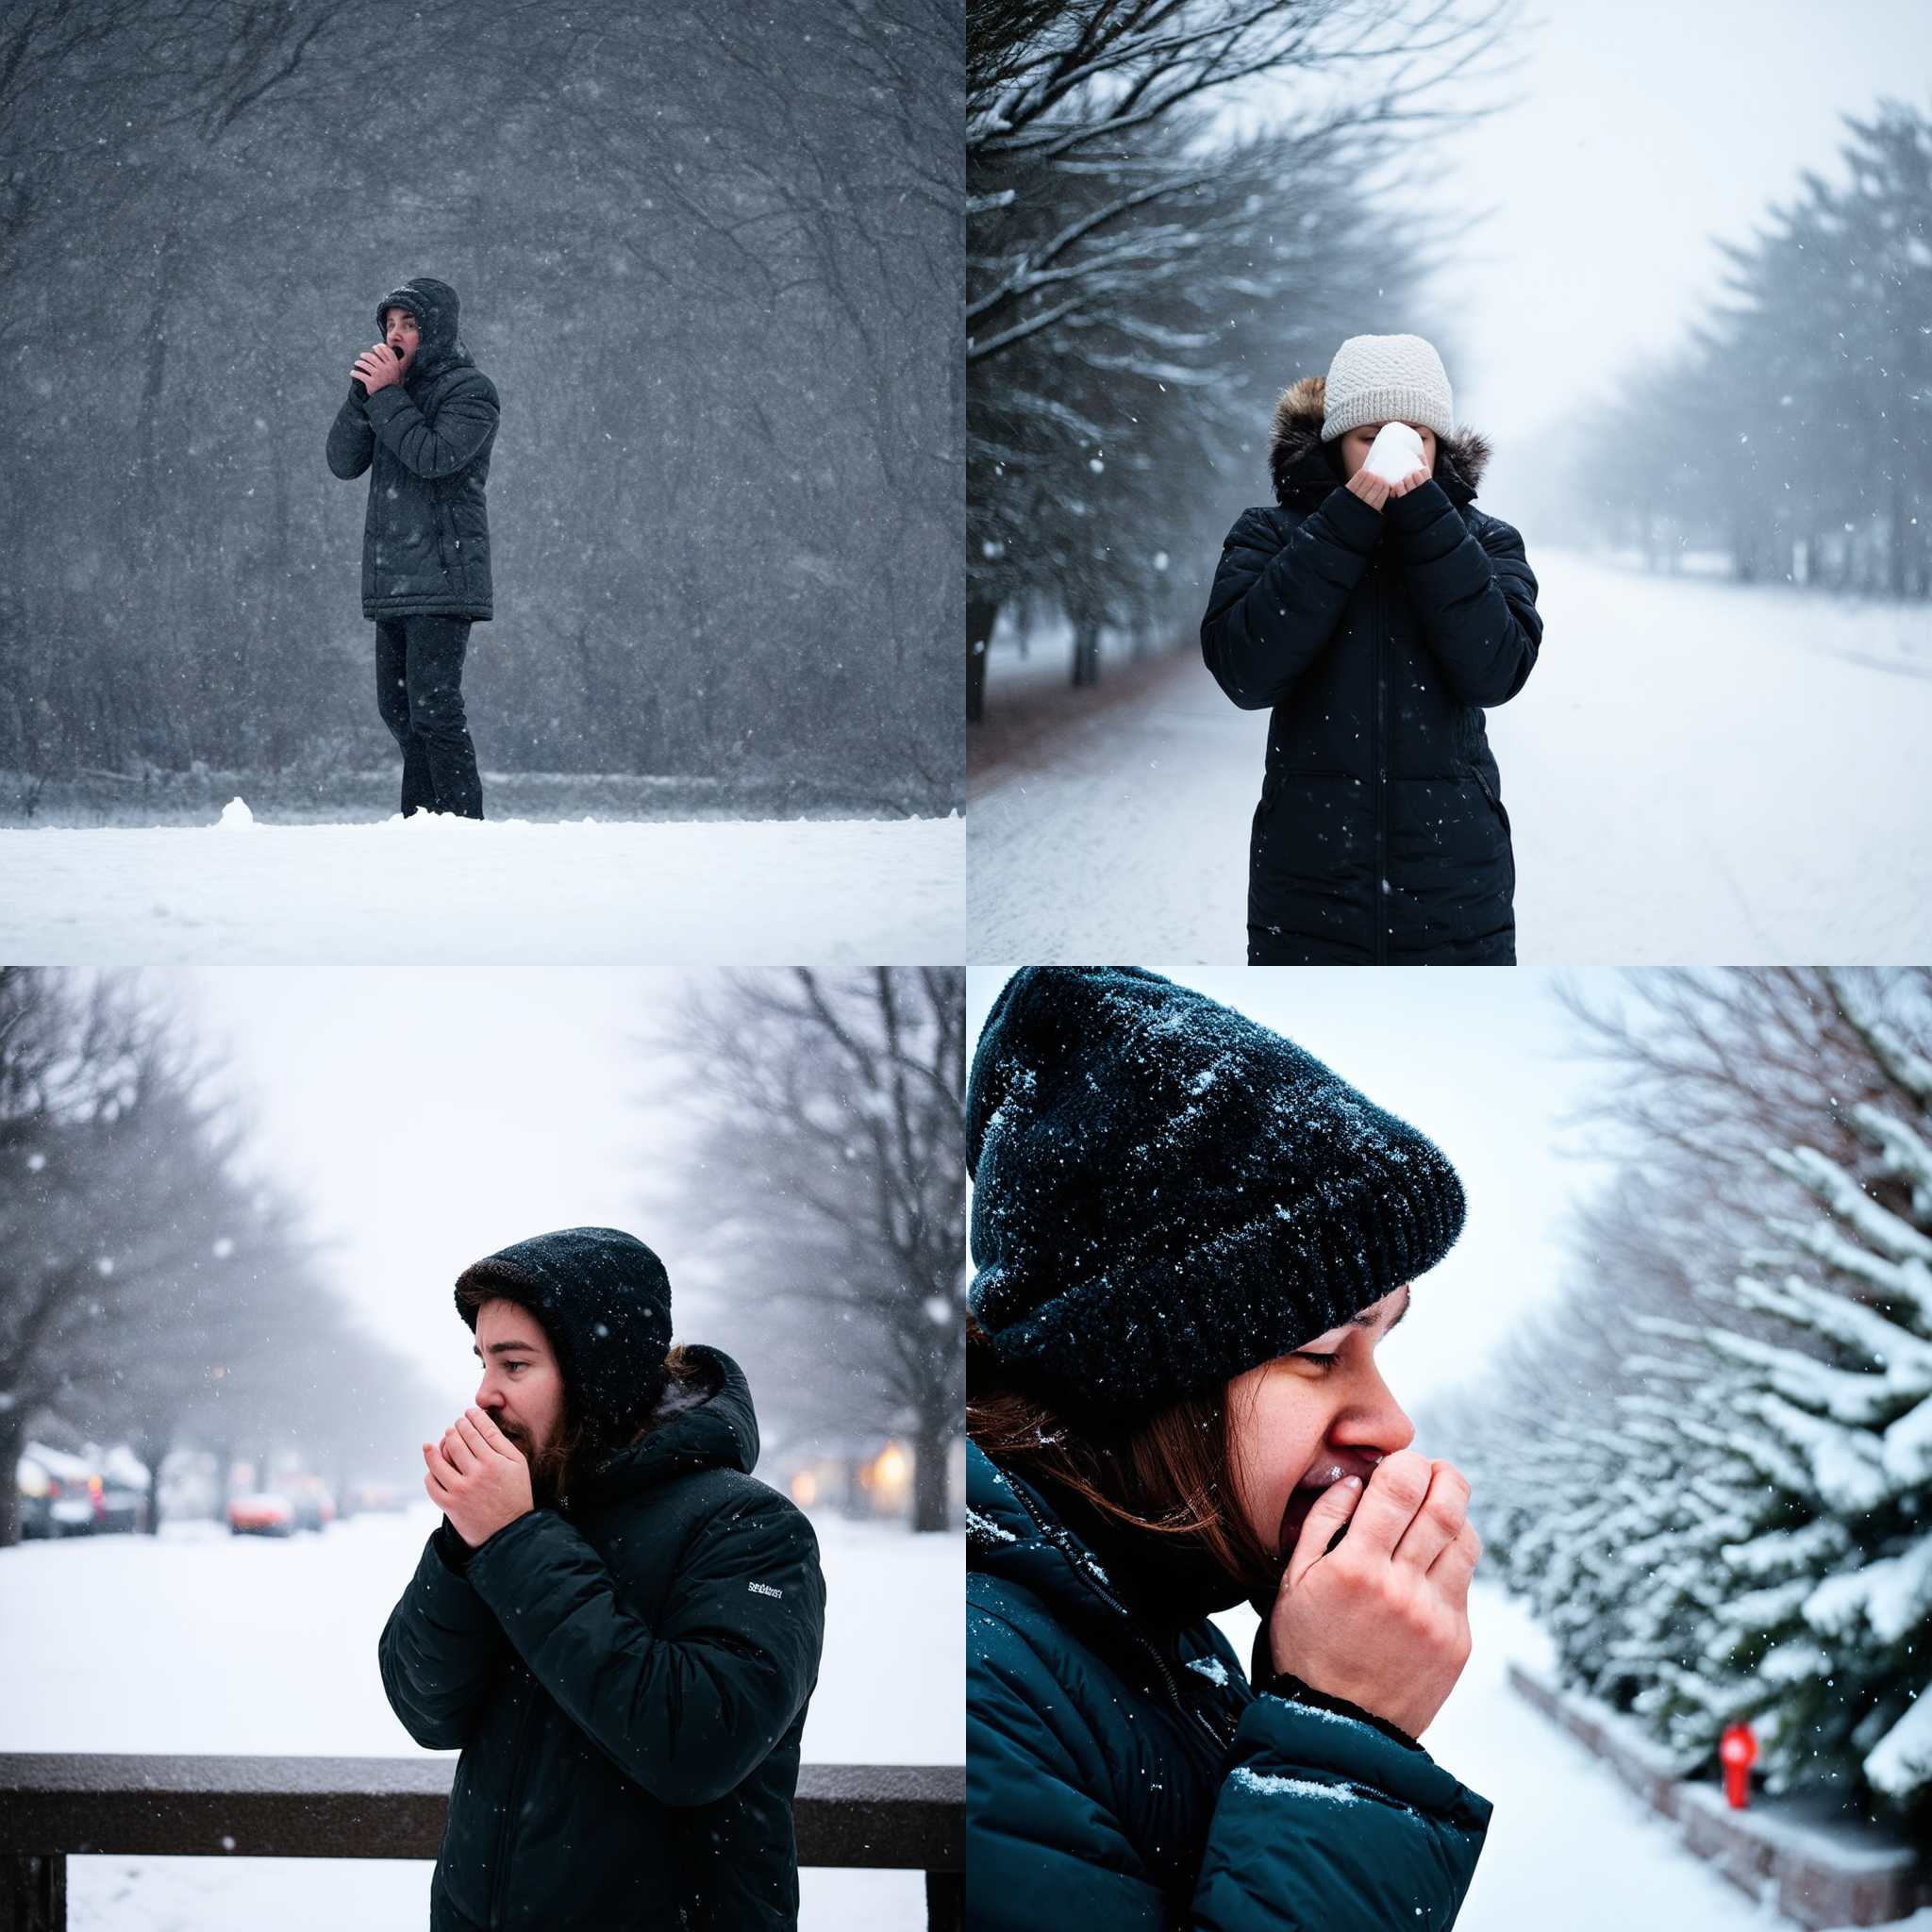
615,1624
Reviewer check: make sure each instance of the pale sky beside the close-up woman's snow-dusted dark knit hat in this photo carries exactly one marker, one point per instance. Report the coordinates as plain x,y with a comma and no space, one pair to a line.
1477,1062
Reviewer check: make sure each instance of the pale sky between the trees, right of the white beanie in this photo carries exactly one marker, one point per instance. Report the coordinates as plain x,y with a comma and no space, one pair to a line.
1639,134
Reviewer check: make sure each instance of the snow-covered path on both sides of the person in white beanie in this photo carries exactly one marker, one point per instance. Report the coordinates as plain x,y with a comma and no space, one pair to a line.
1697,772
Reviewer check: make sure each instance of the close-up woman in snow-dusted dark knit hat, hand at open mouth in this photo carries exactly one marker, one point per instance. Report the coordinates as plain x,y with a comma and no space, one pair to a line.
1189,1237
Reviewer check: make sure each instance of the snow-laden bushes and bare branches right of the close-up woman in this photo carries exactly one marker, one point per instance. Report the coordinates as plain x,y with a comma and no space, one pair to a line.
1709,1465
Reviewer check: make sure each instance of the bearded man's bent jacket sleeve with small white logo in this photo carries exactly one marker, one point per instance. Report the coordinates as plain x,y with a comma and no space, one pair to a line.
687,1709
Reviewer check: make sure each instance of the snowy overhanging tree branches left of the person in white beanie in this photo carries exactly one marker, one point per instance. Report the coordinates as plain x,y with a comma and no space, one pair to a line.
1149,268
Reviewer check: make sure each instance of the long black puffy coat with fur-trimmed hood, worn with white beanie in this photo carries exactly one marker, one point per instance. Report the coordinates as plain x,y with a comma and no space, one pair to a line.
1377,639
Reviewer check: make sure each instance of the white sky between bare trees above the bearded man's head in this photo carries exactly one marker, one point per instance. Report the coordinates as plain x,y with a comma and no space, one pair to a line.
432,1116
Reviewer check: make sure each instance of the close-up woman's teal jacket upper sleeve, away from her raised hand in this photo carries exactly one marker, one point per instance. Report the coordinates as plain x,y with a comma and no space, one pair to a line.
1042,1842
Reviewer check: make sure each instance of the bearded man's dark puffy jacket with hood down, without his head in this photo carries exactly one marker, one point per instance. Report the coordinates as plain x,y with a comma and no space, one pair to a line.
629,1690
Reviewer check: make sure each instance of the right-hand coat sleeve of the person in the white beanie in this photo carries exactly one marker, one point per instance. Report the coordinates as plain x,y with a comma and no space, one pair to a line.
1475,600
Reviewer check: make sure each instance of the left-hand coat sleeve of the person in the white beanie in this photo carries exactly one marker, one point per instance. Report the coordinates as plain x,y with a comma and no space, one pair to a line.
1272,610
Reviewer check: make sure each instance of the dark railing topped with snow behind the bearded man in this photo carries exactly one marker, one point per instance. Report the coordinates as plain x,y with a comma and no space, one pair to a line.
905,1817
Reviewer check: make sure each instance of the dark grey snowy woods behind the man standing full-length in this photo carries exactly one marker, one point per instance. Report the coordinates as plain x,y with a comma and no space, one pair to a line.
712,273
